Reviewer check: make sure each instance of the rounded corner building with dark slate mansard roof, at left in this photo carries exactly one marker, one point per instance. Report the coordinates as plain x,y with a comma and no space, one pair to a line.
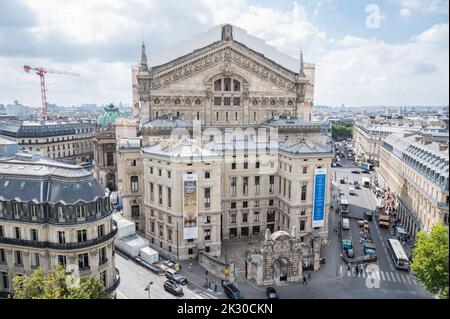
53,213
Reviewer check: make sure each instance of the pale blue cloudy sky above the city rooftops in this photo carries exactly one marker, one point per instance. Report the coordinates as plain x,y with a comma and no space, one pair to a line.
377,52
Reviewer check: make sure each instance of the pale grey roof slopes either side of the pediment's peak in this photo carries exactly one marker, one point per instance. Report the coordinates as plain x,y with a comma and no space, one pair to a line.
215,34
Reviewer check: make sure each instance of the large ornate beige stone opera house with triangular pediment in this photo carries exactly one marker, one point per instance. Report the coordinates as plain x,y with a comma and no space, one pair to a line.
185,104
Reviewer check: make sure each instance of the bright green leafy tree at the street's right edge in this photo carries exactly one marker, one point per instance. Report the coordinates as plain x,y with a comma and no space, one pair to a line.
430,262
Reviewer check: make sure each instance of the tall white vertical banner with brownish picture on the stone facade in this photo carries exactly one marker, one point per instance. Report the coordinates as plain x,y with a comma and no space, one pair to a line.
190,211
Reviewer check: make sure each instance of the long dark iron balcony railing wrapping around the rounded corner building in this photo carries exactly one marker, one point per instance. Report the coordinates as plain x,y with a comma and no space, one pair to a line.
60,246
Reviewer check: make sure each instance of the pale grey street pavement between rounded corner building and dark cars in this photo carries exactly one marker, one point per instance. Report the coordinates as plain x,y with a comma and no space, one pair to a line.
134,278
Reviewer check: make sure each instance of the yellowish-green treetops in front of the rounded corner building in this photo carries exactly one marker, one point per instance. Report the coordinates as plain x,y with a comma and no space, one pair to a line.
57,284
